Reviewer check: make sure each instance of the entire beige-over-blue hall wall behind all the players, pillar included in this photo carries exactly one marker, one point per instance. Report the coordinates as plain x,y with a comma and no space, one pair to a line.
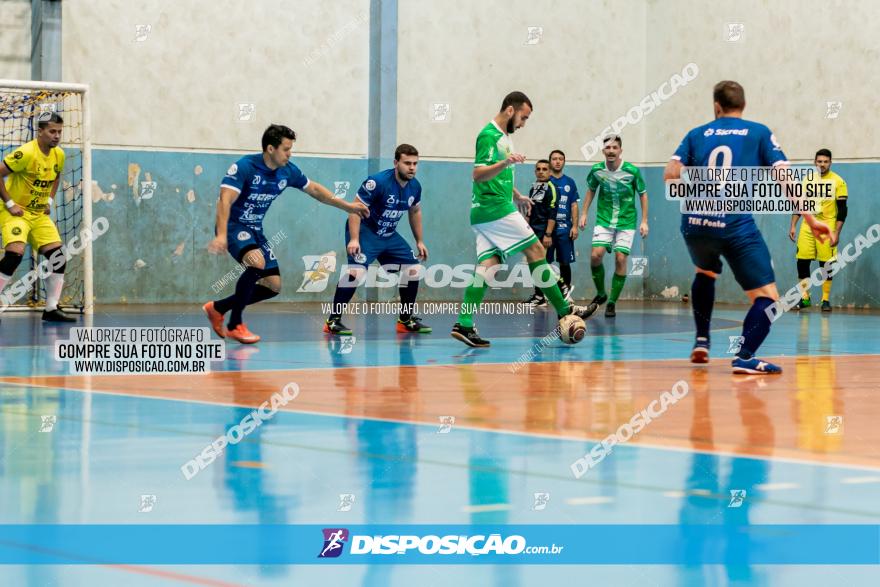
170,81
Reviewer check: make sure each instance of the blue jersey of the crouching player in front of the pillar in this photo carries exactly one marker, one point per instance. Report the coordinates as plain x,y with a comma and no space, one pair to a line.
387,201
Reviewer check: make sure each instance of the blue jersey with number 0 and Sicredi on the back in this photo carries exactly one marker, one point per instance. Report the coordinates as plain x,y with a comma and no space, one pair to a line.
727,142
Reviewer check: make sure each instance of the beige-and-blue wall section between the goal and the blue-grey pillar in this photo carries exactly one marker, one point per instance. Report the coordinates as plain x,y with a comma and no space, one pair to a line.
180,91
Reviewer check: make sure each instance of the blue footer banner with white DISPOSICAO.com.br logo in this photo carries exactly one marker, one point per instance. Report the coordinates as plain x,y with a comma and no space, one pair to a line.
441,544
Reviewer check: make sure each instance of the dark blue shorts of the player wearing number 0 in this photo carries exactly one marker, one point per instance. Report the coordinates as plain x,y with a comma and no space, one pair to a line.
747,254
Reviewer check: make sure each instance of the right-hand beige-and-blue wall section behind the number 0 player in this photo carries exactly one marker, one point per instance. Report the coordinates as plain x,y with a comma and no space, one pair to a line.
809,83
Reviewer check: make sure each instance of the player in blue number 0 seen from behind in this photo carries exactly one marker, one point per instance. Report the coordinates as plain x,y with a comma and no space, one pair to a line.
731,140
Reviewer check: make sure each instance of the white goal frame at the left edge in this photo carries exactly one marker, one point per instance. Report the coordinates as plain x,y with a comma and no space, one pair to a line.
83,90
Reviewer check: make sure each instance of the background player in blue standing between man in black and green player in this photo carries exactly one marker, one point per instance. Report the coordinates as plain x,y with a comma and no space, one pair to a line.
561,248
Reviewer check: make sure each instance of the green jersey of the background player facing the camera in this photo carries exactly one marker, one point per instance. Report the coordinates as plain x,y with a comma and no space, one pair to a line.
615,193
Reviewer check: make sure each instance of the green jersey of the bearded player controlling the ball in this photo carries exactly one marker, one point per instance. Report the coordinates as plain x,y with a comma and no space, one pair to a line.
492,199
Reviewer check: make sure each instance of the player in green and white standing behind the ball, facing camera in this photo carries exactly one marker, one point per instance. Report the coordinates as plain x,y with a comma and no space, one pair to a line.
614,183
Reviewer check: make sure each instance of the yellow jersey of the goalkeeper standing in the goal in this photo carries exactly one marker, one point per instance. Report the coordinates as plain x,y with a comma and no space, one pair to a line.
33,174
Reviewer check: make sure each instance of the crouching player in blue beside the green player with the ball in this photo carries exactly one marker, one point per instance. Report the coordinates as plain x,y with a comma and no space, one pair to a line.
389,195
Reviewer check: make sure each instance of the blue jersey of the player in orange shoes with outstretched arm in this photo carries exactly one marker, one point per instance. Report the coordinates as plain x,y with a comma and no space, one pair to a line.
257,188
